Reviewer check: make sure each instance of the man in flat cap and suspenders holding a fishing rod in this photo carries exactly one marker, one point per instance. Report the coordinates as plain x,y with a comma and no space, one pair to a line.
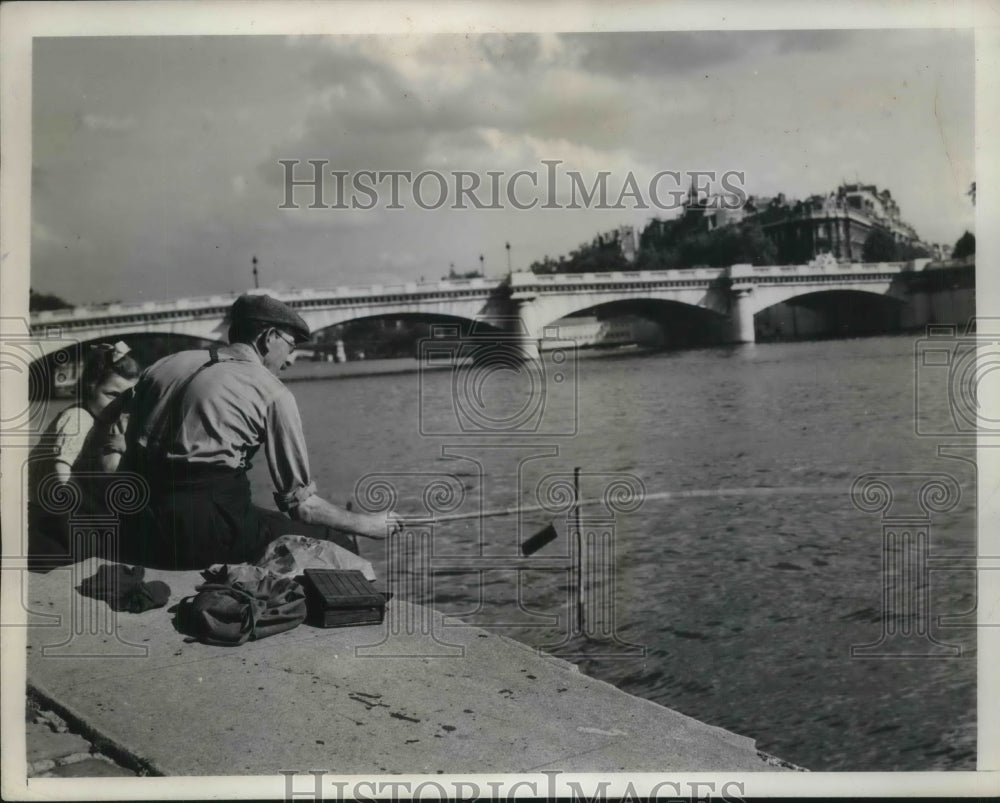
198,417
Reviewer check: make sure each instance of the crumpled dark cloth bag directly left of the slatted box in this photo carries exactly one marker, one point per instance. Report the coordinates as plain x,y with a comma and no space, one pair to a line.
251,608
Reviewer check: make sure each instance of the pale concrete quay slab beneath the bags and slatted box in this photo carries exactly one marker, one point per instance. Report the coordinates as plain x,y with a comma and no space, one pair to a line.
359,700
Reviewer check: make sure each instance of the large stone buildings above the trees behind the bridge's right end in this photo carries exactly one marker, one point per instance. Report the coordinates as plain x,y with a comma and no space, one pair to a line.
837,223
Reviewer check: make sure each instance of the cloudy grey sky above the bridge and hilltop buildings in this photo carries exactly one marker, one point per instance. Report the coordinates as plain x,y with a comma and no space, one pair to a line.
156,160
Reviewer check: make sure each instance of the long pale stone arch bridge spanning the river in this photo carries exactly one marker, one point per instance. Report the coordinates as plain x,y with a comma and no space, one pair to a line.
526,303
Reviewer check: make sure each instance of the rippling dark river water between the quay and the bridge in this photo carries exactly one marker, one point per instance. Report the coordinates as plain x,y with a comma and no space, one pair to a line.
745,605
